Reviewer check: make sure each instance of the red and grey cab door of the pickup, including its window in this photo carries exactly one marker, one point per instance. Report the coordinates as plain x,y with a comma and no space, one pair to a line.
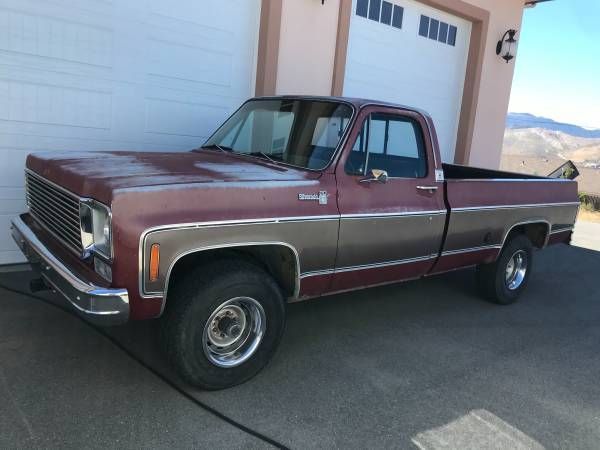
390,230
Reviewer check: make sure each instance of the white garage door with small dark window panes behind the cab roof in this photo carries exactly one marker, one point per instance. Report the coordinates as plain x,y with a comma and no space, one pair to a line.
405,52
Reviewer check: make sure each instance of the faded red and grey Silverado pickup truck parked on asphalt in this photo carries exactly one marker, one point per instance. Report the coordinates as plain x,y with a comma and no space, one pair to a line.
291,198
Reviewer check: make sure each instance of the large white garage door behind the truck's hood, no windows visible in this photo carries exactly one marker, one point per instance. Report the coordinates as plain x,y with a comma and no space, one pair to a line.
122,74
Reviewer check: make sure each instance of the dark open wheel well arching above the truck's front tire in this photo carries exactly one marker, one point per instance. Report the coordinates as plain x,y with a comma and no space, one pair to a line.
279,260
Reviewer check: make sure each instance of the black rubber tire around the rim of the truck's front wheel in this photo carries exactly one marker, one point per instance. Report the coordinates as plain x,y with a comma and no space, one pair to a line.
190,305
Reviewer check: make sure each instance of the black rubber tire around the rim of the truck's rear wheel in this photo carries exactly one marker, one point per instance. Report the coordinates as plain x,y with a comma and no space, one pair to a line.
492,278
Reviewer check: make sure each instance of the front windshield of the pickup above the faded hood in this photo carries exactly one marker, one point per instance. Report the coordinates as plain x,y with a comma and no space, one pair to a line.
303,133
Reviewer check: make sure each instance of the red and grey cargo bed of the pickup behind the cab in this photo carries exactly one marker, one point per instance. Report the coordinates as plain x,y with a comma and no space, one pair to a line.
484,206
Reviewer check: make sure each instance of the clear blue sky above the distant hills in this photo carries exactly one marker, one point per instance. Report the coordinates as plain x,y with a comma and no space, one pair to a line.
557,73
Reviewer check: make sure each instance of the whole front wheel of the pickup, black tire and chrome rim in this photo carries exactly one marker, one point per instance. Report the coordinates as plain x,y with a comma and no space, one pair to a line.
223,323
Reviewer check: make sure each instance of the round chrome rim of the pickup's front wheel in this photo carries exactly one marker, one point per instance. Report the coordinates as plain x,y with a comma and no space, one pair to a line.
234,331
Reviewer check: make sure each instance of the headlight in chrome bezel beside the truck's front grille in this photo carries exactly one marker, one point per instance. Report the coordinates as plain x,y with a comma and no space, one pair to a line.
96,228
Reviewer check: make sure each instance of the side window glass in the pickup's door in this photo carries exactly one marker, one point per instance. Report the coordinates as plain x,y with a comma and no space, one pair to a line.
390,143
